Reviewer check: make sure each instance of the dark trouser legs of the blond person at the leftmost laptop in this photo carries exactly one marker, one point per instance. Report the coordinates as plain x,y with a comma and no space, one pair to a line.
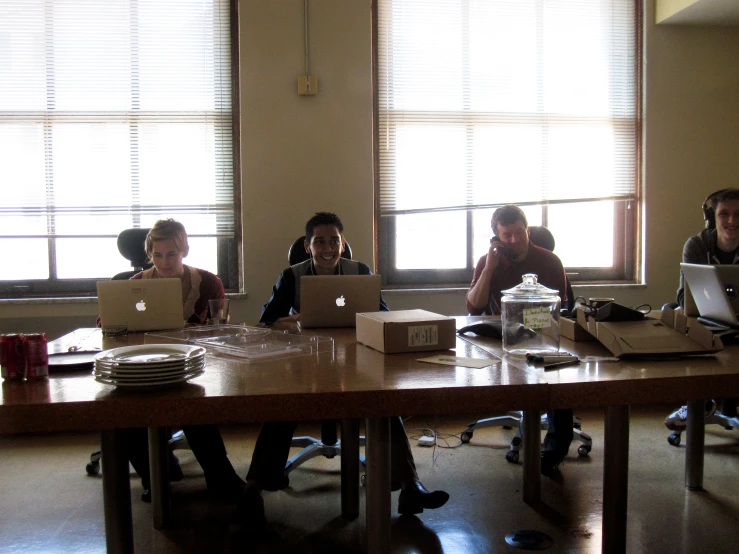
205,442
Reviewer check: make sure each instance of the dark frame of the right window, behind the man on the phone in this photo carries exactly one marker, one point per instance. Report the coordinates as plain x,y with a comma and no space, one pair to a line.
627,210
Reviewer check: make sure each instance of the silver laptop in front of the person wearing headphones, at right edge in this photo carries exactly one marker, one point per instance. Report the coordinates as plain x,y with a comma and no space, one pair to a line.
712,292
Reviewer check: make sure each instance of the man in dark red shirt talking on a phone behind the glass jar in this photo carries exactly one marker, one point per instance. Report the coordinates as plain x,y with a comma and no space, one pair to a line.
512,255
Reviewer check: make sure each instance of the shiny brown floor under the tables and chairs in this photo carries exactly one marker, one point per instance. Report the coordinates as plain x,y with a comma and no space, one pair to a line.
48,504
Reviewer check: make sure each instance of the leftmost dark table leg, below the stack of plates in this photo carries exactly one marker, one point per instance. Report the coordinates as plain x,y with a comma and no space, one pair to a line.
116,493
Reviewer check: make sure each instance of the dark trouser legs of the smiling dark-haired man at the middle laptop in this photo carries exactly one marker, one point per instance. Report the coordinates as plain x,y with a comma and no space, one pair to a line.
272,450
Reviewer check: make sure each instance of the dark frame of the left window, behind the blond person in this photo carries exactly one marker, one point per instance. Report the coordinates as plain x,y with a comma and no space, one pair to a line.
229,257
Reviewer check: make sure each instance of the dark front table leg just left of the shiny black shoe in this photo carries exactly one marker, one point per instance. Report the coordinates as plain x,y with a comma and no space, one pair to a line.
378,485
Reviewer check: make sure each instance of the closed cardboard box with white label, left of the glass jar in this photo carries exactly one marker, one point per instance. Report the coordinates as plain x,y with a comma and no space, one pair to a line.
406,331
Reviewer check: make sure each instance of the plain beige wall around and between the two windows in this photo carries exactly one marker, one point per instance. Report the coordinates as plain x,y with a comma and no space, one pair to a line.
303,154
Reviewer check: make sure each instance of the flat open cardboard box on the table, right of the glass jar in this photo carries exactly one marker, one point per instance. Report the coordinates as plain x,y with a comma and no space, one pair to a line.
654,337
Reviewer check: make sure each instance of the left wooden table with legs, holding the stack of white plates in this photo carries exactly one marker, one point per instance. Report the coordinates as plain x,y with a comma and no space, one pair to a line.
350,383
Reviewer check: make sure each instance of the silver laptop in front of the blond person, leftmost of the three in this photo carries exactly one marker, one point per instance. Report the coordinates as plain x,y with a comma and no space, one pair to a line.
141,304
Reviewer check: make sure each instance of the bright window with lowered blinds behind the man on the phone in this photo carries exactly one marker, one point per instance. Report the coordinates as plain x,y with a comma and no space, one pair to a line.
482,103
